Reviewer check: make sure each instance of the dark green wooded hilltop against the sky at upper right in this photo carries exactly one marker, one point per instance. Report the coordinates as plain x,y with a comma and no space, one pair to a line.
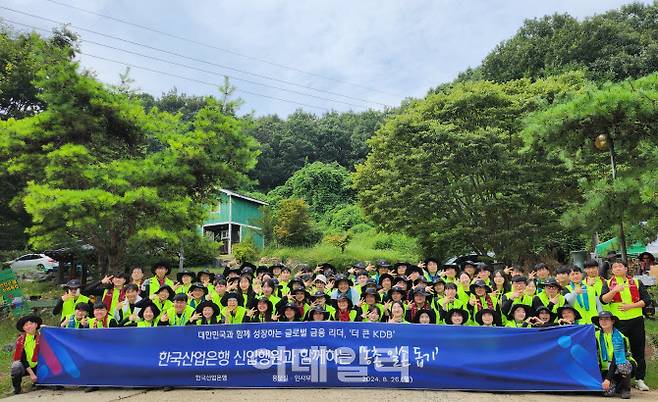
612,46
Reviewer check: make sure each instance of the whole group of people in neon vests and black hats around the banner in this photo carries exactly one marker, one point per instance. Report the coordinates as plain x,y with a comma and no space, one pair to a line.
426,293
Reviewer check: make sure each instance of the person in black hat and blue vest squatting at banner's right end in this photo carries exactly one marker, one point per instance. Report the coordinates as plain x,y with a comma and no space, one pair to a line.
615,359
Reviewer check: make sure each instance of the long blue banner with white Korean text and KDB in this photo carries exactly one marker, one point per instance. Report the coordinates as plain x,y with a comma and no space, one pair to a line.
324,354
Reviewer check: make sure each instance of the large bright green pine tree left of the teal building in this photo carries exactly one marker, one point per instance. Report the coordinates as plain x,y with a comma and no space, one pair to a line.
93,177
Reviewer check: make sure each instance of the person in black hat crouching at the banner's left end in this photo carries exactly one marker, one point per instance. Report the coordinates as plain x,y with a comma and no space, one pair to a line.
26,351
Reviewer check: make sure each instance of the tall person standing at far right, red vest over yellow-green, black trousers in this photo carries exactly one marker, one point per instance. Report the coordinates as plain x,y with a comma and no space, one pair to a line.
626,297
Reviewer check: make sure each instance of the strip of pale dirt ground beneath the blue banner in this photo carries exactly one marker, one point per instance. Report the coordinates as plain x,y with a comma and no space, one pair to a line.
315,395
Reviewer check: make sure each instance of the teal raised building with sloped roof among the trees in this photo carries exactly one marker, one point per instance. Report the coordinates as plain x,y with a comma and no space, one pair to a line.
234,219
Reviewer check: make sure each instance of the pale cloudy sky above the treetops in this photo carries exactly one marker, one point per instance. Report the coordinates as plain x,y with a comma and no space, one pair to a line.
284,55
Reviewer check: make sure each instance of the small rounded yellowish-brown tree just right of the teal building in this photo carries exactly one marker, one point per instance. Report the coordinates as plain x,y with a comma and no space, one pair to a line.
294,225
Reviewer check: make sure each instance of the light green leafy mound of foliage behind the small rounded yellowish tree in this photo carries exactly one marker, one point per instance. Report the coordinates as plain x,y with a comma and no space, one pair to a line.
323,186
